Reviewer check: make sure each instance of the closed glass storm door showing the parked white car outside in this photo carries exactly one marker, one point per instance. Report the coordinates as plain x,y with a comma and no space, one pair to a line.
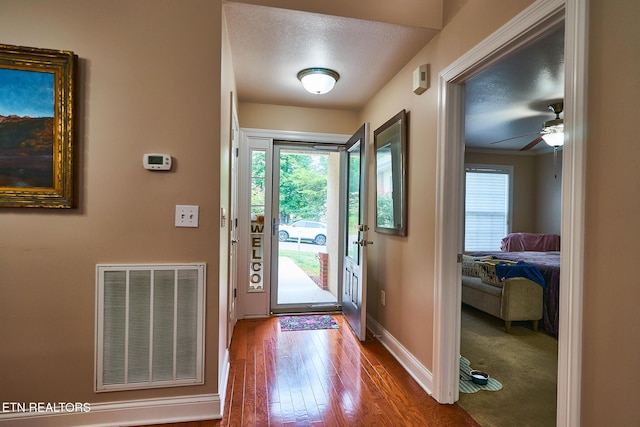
304,224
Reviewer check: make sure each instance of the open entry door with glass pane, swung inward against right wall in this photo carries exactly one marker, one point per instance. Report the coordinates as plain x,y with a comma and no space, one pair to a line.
354,286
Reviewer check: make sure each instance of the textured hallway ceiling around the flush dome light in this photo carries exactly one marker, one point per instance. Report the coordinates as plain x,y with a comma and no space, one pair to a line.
270,46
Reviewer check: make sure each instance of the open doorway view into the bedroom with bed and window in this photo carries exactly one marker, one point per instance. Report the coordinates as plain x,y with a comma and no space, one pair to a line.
514,186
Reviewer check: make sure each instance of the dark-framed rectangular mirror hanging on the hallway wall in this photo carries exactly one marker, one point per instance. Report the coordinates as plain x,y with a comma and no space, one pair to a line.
390,144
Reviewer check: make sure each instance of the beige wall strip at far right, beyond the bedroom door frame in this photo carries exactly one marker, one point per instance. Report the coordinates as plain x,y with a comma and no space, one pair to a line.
611,285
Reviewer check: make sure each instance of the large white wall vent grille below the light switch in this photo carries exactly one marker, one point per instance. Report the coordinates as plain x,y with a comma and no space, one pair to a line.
149,326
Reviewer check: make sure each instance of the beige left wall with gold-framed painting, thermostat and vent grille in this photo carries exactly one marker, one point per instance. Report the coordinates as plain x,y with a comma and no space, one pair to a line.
149,81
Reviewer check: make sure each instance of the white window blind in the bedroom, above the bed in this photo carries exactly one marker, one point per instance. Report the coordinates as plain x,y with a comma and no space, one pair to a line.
487,206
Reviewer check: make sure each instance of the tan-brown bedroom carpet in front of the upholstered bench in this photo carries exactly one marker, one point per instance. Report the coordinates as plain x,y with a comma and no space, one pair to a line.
524,361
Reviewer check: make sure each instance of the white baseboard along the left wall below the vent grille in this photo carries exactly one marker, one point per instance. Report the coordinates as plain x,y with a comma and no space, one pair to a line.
125,413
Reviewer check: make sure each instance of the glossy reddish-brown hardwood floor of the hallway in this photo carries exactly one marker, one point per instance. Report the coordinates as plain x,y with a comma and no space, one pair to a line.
322,378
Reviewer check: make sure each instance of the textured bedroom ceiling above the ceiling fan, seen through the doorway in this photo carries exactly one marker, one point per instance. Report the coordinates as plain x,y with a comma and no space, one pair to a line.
511,97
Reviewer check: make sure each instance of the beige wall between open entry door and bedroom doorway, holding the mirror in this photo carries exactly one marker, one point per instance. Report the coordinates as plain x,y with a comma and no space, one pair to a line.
403,266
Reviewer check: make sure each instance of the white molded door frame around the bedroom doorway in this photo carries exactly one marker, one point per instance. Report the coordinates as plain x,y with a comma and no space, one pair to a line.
528,25
